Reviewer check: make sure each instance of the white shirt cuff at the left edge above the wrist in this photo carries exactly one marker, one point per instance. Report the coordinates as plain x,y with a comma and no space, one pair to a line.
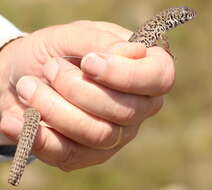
8,31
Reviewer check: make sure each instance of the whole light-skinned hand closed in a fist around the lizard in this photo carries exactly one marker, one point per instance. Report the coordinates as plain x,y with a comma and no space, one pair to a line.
117,84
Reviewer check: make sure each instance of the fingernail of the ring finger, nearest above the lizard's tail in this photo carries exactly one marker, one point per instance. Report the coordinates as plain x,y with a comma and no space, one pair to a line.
26,87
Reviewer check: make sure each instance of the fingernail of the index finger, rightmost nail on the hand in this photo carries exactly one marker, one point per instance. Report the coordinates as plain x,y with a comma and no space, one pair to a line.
93,64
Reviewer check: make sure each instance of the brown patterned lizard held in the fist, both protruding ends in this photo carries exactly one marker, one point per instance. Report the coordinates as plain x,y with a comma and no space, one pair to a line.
149,34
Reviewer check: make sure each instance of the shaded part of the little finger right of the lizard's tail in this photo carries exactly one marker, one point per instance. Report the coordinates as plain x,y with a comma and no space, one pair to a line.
66,154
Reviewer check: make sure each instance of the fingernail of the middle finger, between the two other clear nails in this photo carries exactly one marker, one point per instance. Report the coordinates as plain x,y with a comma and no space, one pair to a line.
51,69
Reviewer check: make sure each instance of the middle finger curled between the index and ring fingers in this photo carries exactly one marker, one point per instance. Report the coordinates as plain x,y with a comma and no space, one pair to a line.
120,108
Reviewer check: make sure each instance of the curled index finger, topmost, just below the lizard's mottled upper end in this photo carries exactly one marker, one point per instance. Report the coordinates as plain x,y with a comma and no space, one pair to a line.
152,75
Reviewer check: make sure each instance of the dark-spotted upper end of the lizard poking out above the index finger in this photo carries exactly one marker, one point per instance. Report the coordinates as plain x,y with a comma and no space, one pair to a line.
155,28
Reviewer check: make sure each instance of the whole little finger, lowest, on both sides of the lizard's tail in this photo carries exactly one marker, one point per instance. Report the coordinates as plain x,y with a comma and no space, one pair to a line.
57,150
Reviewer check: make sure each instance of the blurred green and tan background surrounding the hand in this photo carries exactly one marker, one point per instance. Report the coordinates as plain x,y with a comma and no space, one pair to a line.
173,151
